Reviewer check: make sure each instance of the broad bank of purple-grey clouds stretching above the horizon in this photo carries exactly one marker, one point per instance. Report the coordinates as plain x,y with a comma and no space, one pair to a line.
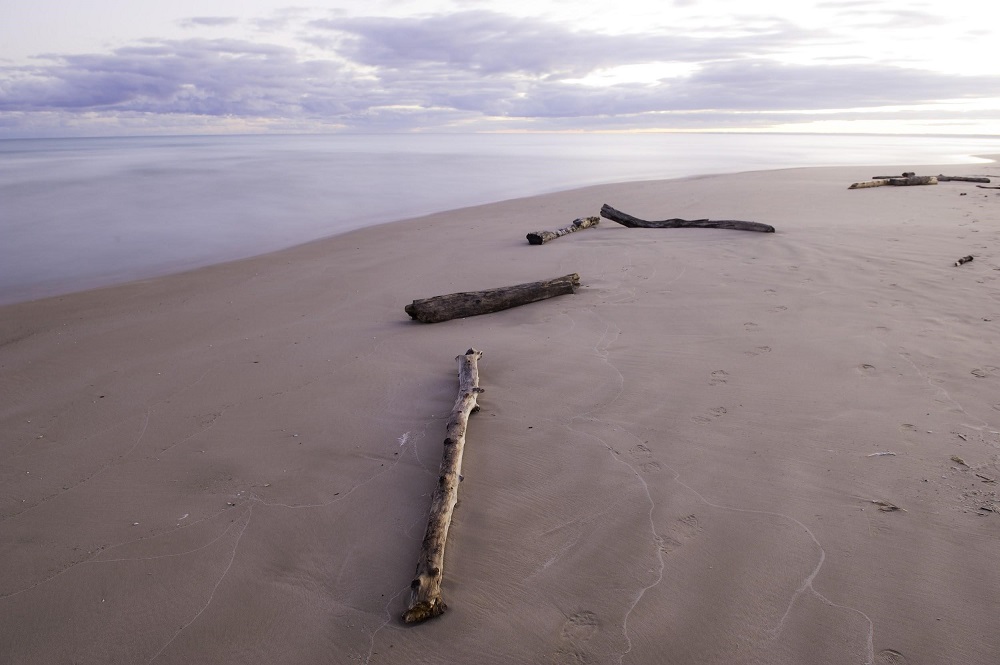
473,69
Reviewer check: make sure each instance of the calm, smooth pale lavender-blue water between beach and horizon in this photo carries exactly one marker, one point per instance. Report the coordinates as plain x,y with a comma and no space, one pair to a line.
78,213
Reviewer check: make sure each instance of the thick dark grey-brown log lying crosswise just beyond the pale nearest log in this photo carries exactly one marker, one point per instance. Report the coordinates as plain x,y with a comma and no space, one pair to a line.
471,303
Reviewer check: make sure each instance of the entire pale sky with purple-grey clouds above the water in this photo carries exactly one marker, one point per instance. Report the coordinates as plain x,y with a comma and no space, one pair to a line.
151,67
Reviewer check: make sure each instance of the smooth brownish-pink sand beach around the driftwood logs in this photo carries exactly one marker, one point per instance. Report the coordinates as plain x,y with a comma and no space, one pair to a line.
676,464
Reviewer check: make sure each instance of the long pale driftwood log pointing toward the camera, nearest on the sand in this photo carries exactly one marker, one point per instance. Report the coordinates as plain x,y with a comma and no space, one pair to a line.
425,595
